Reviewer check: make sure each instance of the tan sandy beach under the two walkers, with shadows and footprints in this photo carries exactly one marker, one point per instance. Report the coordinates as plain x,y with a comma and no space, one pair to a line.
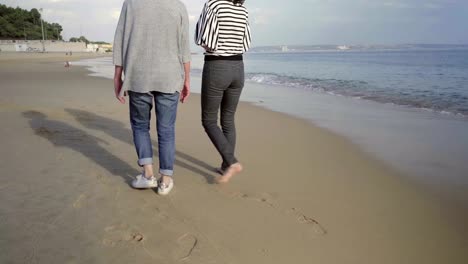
305,196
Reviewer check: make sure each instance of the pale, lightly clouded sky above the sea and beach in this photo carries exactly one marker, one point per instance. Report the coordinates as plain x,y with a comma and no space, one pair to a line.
299,22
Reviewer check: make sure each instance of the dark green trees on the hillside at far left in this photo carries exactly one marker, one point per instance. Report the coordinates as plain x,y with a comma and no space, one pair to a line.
17,23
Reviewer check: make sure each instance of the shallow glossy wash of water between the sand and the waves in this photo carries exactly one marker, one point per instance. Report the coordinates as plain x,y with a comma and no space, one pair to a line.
386,132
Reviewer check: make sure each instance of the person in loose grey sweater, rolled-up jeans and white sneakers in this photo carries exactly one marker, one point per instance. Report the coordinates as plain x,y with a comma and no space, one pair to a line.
152,48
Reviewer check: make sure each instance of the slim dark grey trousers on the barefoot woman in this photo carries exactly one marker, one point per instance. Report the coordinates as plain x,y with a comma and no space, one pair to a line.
222,84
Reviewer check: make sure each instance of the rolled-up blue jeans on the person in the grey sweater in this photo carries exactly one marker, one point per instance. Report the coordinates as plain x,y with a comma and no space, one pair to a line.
141,105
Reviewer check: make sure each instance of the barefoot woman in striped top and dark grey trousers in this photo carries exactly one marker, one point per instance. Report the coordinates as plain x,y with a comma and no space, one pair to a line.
223,31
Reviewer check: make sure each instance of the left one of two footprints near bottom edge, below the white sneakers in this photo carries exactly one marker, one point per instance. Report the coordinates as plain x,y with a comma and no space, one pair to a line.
121,234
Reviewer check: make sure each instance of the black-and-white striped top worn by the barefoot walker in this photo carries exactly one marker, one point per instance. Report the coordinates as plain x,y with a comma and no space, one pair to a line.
223,28
